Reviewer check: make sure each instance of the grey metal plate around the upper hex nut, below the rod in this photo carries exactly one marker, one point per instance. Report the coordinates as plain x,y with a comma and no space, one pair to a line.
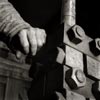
83,46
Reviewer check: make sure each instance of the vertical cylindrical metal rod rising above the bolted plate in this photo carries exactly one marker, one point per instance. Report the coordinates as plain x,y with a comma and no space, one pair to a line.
69,12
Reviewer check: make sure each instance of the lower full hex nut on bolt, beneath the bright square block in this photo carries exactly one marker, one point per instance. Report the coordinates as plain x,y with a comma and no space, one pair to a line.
75,78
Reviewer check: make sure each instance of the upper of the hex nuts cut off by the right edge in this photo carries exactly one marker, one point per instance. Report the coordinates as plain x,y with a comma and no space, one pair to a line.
95,46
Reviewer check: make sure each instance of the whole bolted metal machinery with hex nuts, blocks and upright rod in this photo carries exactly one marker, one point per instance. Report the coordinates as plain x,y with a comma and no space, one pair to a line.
81,59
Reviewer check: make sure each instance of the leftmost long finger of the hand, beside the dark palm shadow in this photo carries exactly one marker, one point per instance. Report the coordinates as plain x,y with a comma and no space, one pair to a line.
24,40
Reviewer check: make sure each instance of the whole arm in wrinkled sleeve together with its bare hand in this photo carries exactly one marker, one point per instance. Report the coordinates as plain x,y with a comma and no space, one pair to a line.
11,24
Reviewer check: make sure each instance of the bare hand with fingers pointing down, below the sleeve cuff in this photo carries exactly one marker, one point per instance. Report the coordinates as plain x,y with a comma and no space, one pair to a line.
31,40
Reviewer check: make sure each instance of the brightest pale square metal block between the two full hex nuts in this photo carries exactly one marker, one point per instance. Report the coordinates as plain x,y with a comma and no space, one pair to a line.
74,58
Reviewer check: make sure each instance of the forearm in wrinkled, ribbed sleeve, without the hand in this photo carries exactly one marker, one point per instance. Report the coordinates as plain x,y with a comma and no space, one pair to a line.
10,21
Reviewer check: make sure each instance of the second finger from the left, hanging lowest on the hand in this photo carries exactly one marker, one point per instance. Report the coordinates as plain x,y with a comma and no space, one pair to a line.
32,41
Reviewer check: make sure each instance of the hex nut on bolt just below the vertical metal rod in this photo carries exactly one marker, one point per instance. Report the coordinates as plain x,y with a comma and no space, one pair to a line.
76,34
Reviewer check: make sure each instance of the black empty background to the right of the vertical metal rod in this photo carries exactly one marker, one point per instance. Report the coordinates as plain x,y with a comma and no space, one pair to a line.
88,16
